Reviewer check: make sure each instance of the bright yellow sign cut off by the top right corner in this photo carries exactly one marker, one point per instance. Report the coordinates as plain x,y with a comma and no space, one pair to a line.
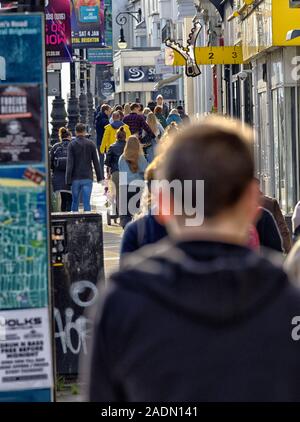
286,22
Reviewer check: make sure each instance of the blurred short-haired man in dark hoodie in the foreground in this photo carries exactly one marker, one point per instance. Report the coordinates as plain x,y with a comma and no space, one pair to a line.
200,317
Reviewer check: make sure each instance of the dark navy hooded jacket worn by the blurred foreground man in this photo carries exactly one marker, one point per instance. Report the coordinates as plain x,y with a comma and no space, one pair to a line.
197,321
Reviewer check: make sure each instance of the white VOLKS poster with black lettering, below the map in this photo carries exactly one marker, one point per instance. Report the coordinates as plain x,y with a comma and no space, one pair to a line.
25,350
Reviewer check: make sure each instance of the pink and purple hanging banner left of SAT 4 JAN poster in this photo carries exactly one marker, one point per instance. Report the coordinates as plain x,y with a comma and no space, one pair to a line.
58,31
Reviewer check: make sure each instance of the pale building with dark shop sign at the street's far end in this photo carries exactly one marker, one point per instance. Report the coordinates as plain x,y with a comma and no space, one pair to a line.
139,70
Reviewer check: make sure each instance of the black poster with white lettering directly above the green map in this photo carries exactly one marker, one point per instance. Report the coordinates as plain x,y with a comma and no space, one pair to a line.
20,124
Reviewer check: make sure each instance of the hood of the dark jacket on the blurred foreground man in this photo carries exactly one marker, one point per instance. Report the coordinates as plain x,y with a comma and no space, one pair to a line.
219,283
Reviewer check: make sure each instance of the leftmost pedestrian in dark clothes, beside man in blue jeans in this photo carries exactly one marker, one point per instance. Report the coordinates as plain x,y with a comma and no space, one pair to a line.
58,164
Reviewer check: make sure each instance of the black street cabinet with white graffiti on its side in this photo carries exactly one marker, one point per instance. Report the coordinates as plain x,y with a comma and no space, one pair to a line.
77,267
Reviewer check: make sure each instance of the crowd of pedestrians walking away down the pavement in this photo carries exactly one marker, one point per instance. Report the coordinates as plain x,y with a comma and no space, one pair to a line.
72,159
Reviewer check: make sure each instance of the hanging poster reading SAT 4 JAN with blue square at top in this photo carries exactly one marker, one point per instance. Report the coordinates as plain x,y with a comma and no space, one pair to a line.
87,23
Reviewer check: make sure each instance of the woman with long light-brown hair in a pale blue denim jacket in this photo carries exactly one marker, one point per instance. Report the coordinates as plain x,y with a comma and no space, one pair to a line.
132,165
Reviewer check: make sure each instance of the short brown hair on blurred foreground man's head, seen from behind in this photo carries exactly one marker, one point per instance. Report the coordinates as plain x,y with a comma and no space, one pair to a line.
218,152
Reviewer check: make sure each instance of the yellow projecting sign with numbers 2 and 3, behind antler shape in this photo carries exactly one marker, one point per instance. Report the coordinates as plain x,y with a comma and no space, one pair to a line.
208,56
